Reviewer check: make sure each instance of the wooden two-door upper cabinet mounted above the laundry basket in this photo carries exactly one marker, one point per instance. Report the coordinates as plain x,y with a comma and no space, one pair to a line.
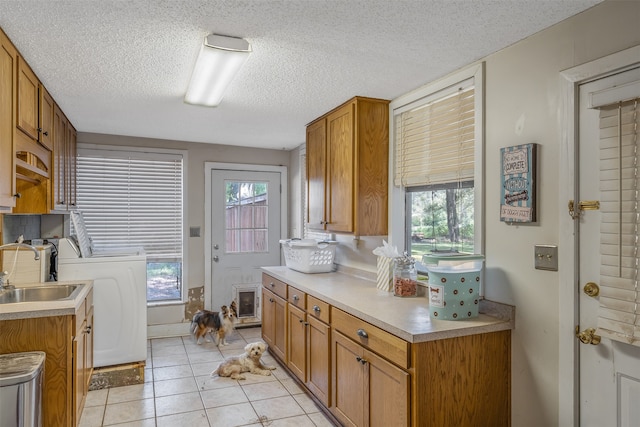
353,196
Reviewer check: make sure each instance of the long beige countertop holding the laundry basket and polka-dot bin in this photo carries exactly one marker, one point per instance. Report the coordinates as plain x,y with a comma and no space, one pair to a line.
407,318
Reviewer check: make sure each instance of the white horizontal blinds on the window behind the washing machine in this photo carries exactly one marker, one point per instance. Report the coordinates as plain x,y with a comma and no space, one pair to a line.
132,199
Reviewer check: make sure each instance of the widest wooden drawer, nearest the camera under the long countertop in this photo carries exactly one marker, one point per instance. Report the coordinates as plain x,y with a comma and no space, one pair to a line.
385,344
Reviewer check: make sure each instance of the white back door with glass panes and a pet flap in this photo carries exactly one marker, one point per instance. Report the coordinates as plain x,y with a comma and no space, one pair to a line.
245,224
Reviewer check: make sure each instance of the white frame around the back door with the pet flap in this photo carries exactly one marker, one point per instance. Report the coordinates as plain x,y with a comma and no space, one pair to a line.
209,167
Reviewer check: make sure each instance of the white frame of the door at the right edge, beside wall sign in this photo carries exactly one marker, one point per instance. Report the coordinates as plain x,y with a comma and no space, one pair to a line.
568,295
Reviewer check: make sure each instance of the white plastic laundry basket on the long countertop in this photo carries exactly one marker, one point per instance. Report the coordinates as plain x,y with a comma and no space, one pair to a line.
308,255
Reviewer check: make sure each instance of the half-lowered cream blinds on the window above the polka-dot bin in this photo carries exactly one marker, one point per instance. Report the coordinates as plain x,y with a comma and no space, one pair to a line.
435,142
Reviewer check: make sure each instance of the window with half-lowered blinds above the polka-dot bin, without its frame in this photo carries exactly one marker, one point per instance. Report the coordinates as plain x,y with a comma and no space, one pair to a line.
435,164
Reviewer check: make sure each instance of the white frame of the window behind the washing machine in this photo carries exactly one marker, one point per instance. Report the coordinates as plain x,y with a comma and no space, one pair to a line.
185,161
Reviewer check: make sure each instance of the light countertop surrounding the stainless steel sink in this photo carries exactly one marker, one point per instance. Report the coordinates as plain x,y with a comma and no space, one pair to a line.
24,310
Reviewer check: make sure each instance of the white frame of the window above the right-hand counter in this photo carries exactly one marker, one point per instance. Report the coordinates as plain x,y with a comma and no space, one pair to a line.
421,96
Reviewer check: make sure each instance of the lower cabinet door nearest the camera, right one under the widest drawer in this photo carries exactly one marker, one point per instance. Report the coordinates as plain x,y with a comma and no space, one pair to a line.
387,391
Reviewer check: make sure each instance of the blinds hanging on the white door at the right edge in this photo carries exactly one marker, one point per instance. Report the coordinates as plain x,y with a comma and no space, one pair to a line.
619,313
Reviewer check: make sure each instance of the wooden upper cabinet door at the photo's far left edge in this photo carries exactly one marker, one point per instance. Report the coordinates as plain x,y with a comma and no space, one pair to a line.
8,67
